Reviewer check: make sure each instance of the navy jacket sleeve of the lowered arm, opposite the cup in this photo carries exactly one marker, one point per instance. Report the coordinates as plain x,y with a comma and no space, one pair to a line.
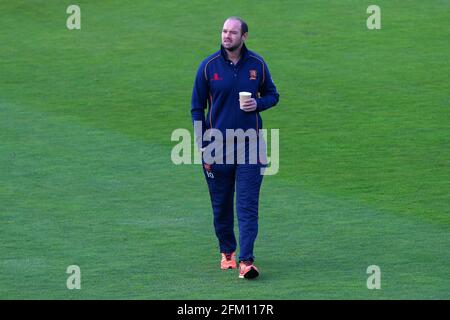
198,105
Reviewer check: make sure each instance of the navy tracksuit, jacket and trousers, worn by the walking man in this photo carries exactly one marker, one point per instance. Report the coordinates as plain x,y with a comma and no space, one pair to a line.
217,85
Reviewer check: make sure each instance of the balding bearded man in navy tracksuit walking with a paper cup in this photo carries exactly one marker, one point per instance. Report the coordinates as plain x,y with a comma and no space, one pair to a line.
219,79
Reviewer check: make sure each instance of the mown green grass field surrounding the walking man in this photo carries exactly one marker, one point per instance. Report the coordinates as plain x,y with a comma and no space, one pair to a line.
86,177
